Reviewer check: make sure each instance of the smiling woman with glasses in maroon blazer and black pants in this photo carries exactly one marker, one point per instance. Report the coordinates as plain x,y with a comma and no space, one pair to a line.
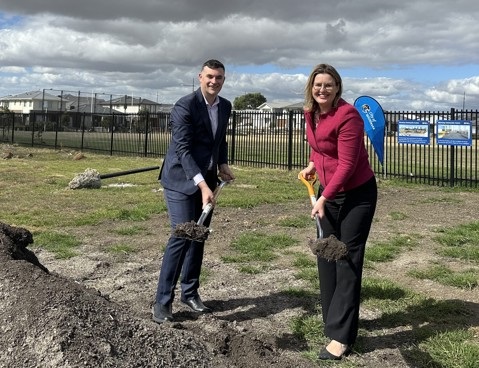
345,205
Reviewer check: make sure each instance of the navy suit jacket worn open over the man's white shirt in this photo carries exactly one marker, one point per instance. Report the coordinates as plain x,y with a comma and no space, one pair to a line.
192,143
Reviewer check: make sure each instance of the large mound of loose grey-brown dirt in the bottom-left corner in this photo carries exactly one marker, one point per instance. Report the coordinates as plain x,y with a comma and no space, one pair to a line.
51,321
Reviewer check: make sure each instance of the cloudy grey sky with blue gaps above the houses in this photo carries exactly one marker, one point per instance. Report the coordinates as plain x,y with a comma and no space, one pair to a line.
409,55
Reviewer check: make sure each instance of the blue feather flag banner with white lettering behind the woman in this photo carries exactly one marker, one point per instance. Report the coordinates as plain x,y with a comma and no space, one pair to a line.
374,123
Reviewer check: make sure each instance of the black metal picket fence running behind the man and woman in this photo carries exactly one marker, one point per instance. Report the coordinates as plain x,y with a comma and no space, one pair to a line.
258,139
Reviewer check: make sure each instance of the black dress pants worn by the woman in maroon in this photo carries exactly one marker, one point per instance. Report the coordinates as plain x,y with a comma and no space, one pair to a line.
348,217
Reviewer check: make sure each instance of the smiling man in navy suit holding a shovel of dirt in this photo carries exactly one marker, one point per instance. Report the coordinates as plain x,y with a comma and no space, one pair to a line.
196,156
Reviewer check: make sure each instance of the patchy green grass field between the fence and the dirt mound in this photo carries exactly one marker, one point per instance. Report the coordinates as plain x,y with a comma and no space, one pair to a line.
425,310
